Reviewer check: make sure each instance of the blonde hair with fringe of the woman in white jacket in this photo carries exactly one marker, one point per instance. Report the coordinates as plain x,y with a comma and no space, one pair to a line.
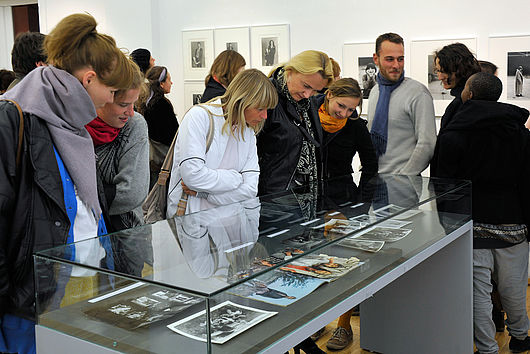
249,89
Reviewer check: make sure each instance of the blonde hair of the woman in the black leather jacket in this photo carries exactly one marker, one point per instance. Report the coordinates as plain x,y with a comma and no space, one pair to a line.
309,62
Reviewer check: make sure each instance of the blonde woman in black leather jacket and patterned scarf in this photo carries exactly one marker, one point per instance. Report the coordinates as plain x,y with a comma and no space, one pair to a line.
289,145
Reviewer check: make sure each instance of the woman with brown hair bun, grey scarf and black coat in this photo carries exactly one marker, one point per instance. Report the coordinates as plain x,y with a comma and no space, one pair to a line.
48,190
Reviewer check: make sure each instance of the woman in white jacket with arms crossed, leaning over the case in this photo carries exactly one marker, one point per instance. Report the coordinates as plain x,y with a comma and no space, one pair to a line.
228,172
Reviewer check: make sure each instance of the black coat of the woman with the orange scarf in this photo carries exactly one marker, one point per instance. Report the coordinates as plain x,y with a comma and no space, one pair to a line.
340,147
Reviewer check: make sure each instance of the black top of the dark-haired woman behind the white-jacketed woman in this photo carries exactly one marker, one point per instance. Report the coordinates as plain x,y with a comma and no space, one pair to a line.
161,121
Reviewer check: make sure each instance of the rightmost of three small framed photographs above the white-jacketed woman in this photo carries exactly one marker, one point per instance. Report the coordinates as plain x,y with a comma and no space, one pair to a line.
270,46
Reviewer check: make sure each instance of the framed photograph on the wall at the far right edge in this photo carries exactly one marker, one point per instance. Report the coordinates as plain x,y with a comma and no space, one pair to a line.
512,57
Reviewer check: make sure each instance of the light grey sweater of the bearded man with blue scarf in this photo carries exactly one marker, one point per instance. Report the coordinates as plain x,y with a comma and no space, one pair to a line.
411,128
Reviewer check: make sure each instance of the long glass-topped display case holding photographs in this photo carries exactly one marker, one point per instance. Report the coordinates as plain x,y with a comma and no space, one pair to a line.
260,275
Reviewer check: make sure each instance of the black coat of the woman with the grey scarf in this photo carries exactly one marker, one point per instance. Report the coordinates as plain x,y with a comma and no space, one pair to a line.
32,213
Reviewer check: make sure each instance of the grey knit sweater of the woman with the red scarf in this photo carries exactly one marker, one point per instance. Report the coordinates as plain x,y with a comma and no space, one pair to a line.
124,163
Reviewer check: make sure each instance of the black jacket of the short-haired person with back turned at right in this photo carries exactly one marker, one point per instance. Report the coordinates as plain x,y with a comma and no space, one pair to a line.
487,143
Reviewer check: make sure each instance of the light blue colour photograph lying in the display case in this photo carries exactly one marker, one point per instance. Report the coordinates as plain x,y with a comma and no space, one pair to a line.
278,287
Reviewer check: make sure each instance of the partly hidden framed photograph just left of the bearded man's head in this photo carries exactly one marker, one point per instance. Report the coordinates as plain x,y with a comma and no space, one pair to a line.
358,63
